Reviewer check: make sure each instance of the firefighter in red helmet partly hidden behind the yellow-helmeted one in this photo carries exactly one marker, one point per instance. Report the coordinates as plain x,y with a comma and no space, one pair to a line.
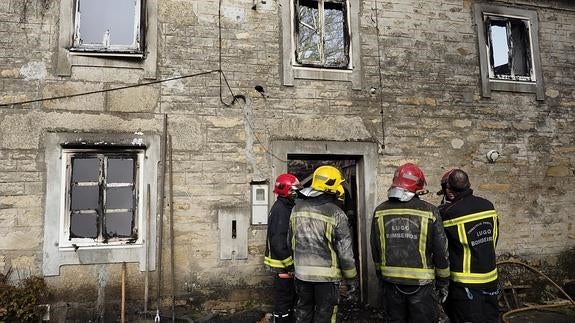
278,255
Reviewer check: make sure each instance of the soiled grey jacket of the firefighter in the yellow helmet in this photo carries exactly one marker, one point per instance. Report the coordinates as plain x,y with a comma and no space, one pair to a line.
321,241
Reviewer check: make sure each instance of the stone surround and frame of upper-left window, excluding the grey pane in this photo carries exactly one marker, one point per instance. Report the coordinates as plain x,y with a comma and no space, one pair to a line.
70,55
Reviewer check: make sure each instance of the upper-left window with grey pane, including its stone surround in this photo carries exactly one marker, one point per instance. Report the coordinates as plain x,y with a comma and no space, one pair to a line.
108,33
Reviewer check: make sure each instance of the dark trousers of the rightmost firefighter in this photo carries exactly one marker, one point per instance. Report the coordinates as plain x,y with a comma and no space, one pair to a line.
472,305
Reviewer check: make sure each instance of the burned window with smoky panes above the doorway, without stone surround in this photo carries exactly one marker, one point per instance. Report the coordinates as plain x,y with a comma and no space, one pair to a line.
322,33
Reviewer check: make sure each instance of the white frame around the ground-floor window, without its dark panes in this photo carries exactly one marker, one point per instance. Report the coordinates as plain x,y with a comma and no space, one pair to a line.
65,240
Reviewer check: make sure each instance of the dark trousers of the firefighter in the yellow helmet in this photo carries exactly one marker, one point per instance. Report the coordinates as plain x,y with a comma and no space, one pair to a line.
317,302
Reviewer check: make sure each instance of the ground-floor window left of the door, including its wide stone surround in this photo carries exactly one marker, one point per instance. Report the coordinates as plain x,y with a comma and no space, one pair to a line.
101,199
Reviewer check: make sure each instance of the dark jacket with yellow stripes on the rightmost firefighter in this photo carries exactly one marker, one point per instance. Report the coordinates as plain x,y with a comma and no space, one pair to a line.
472,230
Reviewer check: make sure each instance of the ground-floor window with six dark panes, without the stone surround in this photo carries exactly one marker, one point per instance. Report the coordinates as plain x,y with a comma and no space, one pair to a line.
102,196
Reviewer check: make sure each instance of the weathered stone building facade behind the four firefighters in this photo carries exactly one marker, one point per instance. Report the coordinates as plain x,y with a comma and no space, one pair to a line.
175,136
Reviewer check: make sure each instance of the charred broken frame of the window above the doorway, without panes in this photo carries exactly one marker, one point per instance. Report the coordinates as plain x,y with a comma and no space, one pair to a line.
320,28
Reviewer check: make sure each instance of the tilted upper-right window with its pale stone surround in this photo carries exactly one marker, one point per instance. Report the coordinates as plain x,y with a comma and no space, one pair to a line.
509,50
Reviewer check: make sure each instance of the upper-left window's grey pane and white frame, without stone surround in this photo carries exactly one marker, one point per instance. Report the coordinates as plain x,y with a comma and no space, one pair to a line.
108,26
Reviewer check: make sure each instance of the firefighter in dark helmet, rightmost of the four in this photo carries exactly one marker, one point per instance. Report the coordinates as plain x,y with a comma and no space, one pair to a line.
471,226
